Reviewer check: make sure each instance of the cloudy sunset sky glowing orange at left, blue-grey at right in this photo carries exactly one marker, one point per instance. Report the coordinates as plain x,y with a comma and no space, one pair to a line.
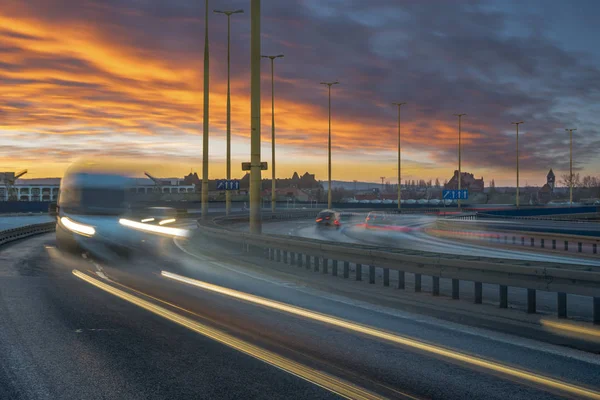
124,78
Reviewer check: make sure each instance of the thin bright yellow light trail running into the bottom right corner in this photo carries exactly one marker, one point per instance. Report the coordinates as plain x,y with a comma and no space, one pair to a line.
394,338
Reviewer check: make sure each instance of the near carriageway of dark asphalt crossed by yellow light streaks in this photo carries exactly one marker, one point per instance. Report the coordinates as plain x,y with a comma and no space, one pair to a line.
194,324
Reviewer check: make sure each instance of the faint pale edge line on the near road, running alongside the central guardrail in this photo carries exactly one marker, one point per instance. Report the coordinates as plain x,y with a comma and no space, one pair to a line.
431,321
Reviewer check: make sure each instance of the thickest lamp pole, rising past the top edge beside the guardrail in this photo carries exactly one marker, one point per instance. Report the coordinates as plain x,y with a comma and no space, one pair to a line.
255,163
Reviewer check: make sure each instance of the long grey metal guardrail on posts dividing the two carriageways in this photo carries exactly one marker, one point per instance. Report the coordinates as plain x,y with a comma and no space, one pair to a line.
563,279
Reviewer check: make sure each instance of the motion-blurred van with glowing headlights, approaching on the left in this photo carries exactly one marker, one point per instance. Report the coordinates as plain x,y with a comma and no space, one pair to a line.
94,215
